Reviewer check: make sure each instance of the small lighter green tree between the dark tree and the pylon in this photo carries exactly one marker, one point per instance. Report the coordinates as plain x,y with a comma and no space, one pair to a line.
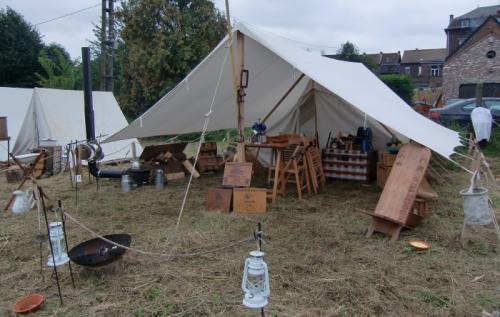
59,70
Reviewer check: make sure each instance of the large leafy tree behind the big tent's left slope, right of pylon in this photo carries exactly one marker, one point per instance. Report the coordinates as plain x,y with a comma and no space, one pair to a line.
163,41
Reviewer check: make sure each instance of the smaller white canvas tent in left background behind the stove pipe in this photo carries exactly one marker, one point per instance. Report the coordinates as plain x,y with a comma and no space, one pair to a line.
40,114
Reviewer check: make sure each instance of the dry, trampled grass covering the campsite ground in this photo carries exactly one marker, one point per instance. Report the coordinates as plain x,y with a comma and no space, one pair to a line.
320,262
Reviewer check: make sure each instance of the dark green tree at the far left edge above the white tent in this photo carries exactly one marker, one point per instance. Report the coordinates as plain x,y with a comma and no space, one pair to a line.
20,44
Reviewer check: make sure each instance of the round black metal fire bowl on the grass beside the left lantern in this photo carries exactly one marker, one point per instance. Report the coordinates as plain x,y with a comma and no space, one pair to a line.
97,252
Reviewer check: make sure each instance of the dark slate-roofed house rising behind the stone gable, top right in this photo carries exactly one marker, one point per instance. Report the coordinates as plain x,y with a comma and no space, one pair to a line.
460,28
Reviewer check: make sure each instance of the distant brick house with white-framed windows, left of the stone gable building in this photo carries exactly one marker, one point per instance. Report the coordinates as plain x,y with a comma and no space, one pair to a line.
424,66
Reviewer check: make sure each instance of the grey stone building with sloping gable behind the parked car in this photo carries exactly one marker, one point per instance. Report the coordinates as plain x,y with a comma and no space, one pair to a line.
476,60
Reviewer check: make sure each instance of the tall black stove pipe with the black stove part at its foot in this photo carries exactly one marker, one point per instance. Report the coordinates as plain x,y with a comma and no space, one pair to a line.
89,118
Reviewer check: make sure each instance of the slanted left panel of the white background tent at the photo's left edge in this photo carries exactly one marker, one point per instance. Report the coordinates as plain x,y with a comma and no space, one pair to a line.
13,104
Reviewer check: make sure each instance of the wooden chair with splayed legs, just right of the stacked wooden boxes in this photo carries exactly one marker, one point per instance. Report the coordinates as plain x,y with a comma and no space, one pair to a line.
295,171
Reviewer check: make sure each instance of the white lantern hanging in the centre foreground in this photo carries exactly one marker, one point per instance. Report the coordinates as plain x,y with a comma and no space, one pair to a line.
255,283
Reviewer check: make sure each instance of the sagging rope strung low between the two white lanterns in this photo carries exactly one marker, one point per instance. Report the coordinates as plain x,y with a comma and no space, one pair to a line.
156,254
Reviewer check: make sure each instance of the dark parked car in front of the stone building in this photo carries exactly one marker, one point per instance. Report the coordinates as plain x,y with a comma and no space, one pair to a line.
460,110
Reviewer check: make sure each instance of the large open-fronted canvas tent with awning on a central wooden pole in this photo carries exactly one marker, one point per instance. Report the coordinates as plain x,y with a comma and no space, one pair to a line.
332,96
